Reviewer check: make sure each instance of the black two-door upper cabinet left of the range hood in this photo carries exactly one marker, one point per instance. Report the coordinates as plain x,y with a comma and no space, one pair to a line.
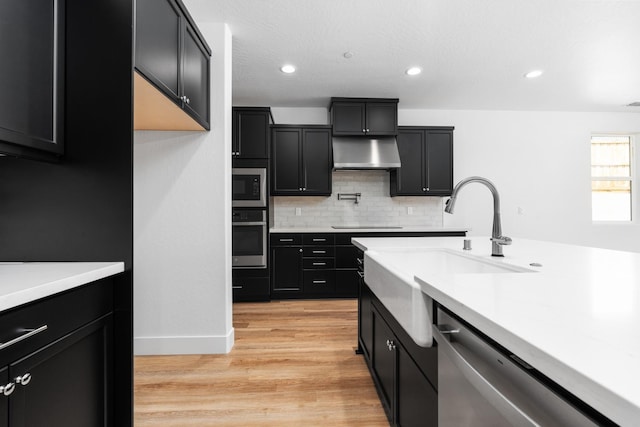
301,160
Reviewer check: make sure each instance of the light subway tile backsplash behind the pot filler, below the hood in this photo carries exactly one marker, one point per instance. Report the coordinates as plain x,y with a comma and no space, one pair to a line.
375,207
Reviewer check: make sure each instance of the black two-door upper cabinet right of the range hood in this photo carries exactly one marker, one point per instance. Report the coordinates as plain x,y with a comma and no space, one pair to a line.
426,157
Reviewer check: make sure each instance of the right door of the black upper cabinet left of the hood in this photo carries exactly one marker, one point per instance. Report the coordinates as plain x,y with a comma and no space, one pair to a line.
316,155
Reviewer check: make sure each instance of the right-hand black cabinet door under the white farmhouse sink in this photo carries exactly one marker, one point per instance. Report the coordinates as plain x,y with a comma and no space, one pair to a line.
417,400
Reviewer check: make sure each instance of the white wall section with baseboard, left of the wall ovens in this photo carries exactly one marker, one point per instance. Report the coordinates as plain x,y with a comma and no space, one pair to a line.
182,227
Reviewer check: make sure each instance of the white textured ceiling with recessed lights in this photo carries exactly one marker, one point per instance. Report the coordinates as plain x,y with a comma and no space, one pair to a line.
474,54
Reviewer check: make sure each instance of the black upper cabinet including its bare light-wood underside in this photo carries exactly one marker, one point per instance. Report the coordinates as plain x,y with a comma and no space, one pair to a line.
172,57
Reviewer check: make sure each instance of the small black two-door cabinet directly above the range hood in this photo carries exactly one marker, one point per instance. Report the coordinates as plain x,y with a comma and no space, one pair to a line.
364,116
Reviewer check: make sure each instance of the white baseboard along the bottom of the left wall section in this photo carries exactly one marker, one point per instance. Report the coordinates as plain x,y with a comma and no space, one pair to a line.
208,344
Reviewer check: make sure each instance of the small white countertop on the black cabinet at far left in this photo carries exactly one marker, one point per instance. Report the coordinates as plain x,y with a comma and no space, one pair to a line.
21,283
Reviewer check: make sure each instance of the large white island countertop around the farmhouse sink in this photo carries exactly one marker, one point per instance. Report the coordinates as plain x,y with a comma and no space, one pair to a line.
576,318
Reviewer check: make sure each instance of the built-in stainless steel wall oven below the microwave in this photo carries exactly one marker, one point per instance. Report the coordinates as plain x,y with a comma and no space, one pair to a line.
249,238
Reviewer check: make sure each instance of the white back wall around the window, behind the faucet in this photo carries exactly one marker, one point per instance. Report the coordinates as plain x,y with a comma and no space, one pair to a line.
540,163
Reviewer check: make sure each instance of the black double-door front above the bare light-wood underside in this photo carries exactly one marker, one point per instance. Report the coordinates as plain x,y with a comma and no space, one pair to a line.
172,55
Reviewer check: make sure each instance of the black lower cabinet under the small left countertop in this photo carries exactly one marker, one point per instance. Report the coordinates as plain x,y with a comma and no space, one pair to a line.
63,373
